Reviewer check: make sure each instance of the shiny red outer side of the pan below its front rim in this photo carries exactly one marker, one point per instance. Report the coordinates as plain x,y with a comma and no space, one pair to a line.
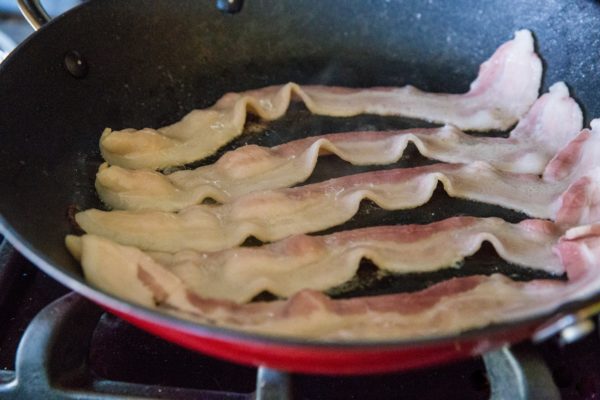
338,360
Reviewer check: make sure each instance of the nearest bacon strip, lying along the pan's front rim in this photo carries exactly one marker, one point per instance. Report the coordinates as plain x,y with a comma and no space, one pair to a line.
445,308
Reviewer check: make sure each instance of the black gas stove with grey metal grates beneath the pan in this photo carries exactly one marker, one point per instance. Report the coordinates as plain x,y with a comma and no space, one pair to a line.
54,344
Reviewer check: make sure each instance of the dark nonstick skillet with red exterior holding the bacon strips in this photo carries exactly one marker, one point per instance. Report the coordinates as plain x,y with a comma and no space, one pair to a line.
136,63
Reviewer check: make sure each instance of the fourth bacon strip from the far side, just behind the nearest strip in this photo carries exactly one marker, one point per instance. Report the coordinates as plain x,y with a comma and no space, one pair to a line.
322,262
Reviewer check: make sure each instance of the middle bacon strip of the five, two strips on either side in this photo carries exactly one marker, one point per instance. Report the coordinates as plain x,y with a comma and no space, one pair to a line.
568,192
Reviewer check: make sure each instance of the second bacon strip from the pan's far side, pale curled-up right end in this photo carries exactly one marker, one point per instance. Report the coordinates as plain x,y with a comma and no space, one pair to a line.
553,121
